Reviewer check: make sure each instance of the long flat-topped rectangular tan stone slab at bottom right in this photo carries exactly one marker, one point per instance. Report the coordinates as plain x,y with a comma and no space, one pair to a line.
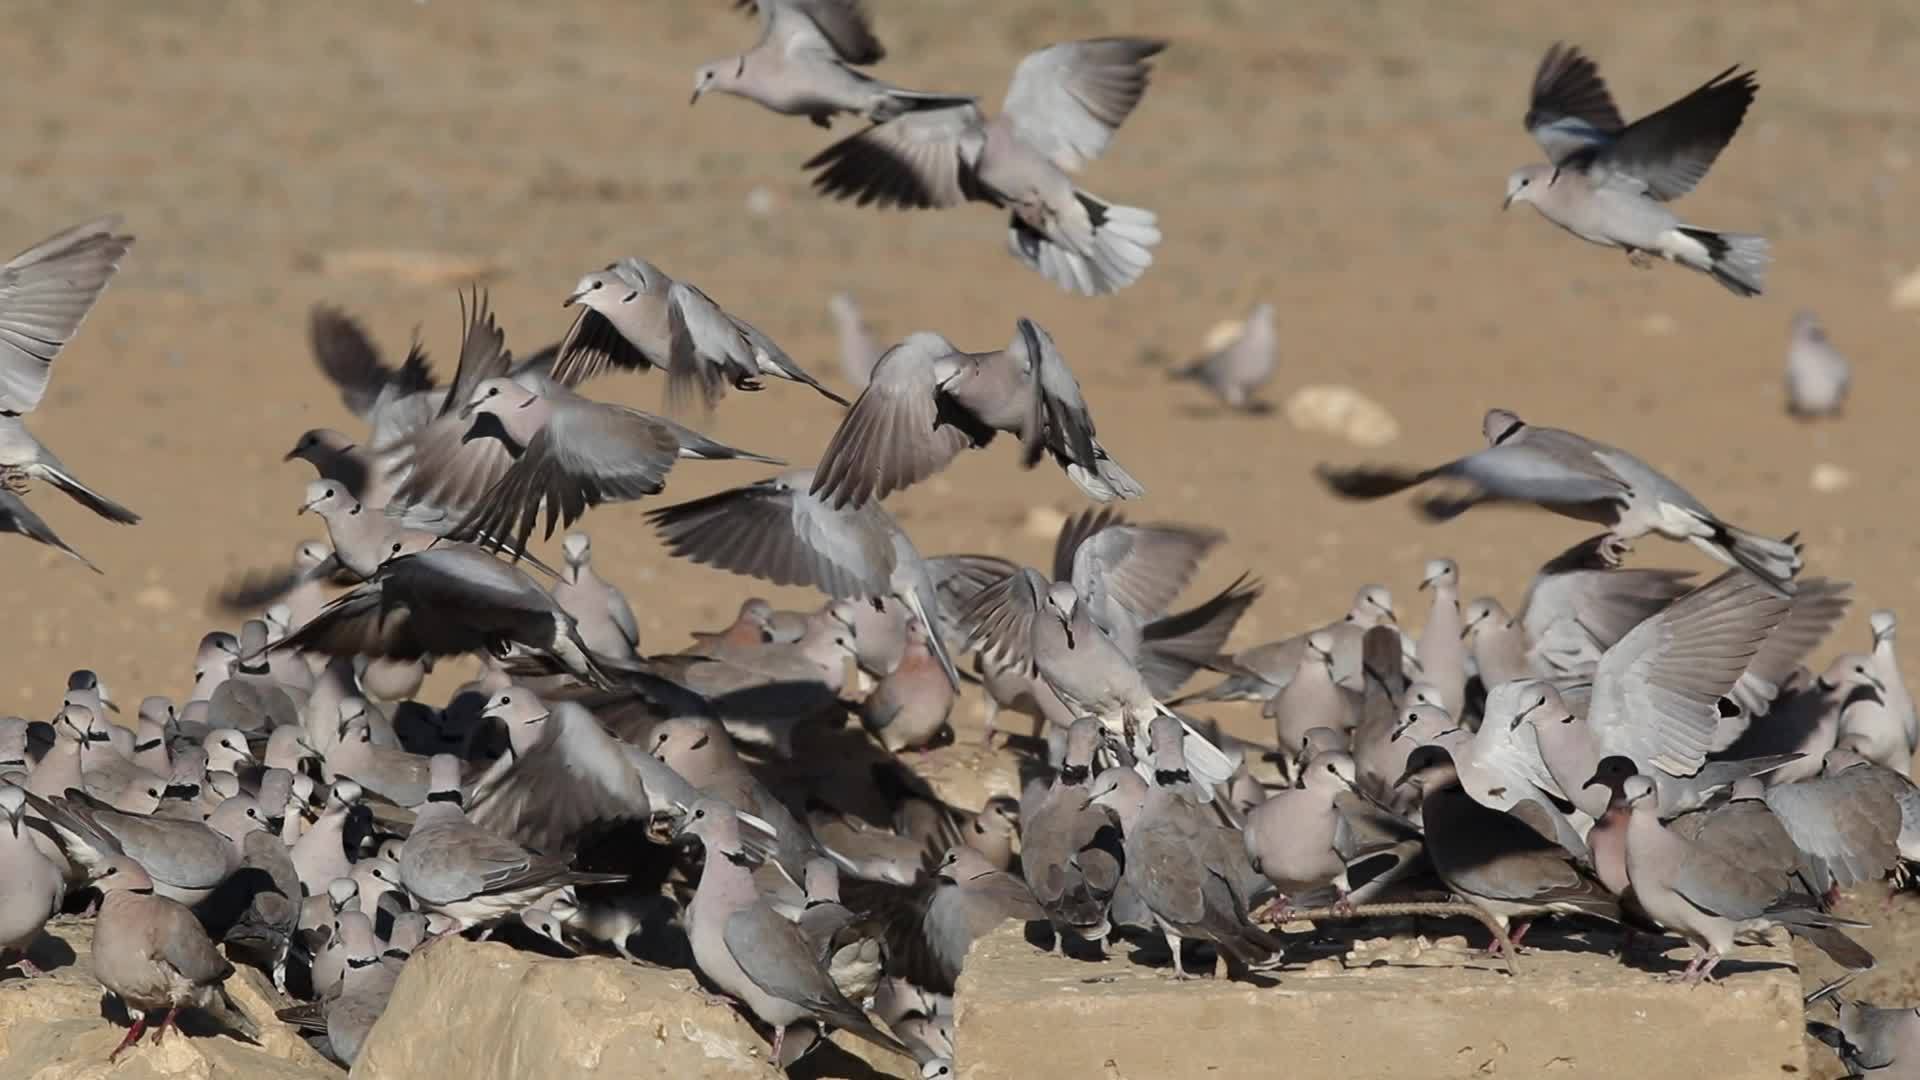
1422,1010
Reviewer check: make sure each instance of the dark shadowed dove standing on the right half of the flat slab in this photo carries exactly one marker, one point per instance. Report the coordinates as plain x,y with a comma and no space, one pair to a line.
1495,860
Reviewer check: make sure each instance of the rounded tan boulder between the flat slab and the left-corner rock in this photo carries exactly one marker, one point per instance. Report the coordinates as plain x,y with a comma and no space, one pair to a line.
485,1012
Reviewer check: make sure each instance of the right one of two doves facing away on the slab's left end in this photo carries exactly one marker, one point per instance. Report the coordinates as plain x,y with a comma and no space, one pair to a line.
1193,875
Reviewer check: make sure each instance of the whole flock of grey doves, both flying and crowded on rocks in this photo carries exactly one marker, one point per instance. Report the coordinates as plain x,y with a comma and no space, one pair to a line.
1621,749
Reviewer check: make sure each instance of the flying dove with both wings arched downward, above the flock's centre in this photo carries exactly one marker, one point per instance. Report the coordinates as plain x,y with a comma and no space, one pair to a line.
926,403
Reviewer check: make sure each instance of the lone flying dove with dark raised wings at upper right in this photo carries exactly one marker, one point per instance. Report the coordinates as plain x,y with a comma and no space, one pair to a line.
1610,182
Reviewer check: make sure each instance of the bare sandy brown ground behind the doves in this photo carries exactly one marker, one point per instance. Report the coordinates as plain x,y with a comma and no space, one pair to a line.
1341,160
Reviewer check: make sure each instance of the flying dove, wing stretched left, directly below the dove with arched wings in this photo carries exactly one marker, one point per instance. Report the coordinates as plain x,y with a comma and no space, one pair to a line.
782,533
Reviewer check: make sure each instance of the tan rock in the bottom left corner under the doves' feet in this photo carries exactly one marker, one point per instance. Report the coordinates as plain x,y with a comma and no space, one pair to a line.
53,1029
